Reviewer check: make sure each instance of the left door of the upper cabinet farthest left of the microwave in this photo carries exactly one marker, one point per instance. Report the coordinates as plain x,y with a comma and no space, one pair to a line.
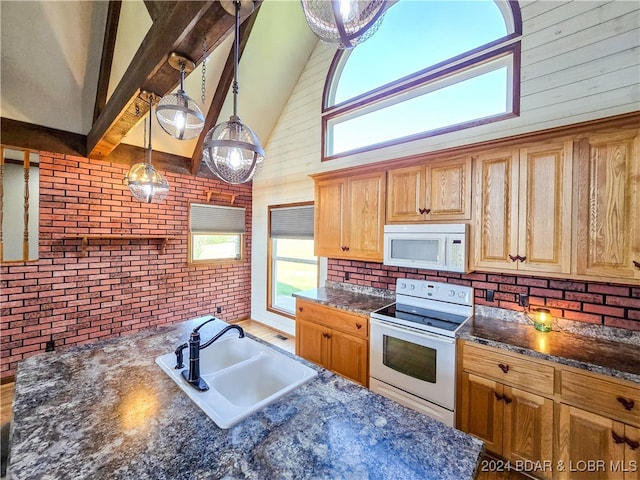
329,220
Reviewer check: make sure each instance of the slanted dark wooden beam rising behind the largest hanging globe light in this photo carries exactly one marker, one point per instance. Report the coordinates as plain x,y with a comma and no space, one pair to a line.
222,89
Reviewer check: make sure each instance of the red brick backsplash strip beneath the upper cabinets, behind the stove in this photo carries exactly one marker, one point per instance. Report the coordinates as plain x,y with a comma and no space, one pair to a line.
601,303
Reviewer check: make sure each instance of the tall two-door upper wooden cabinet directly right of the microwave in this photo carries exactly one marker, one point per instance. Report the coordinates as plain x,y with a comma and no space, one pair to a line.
523,209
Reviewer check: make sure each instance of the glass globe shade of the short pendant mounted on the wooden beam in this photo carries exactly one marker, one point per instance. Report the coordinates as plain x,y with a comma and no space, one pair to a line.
180,116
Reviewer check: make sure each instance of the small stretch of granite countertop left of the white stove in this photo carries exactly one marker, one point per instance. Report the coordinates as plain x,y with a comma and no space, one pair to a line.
353,298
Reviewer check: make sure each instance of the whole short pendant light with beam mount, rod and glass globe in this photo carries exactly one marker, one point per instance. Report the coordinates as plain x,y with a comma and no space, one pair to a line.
178,114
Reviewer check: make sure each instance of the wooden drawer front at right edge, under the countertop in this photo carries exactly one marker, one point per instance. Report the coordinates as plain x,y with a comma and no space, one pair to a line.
599,394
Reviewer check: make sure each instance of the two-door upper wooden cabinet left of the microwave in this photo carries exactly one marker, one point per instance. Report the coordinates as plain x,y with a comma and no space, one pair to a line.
349,221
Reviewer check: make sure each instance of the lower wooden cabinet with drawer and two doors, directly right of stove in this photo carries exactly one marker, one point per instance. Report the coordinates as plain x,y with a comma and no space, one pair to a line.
514,423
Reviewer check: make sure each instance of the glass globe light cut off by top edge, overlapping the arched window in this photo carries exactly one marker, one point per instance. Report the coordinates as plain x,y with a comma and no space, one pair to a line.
344,23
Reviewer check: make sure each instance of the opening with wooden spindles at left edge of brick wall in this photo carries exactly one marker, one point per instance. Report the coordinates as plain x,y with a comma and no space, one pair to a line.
19,205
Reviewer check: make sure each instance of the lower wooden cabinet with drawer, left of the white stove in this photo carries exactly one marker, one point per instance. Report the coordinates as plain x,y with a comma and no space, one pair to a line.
335,339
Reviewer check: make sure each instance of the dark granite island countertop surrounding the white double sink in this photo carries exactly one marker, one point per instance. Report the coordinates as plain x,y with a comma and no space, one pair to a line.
108,411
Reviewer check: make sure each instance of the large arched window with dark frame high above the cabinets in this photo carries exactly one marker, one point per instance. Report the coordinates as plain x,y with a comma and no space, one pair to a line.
432,67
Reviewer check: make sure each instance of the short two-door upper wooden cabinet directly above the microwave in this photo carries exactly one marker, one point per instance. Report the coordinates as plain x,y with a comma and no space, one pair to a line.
435,190
